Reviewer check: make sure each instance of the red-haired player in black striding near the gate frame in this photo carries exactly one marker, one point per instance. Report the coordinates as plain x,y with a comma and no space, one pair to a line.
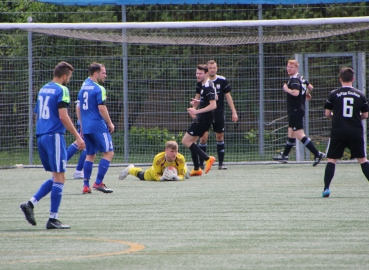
297,90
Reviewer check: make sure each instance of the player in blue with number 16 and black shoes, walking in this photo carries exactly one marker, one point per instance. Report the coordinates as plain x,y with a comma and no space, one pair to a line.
52,121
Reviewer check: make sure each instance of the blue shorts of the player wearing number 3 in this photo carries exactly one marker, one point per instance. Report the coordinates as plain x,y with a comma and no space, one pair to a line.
98,142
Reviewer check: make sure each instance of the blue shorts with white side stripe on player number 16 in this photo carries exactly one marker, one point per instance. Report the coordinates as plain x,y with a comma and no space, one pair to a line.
53,152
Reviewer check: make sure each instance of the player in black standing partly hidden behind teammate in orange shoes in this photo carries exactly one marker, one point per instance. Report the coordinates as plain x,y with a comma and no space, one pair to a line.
223,89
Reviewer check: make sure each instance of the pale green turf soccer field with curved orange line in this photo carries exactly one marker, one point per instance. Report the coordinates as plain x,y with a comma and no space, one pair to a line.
248,217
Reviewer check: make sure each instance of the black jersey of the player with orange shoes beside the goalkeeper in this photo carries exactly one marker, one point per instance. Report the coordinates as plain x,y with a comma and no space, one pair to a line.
207,93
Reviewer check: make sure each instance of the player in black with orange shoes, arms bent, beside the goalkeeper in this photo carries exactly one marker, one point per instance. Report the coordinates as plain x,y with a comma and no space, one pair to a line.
202,121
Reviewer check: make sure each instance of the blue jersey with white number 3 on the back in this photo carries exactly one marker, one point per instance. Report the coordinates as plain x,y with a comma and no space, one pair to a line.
90,97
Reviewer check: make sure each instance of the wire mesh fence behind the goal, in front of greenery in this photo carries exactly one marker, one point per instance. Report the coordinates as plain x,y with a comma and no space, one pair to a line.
161,79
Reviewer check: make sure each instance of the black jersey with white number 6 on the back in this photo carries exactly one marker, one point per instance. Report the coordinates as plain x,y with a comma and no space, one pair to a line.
347,103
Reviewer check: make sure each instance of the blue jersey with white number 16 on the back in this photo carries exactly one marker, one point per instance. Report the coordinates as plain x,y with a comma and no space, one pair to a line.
47,108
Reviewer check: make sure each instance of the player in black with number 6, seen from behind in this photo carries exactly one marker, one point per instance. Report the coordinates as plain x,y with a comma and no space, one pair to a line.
346,107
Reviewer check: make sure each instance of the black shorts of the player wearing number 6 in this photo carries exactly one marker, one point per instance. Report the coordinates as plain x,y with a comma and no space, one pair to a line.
336,147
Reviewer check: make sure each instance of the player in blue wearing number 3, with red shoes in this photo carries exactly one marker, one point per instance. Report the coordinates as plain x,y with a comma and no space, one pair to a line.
96,126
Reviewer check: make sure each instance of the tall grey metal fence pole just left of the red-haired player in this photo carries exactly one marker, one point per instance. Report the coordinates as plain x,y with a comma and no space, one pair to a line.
261,84
